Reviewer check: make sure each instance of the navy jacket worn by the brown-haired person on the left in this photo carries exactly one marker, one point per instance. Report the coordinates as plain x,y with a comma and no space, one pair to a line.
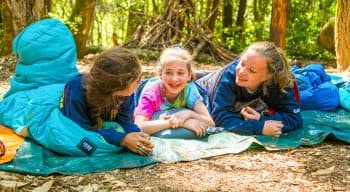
75,107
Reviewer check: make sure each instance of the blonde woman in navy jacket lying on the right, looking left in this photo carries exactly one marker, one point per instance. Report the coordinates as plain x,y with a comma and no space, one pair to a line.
261,74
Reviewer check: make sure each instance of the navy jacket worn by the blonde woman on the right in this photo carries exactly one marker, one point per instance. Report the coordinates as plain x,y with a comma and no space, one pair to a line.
224,93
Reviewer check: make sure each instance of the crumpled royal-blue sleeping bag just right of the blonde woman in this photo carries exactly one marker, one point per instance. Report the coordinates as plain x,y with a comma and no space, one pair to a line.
317,92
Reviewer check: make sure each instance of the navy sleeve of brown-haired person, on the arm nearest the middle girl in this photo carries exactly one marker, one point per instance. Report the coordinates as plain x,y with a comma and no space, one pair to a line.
125,115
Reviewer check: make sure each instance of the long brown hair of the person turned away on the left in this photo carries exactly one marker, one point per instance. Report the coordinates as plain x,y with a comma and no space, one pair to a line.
113,70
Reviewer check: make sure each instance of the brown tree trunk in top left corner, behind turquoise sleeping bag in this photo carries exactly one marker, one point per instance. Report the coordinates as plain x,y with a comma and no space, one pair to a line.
20,14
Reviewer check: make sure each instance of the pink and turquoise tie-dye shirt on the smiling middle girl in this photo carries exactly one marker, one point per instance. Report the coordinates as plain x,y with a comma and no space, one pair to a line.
152,98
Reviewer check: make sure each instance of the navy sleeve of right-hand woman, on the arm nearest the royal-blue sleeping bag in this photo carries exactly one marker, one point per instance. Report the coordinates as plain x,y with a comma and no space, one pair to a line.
287,110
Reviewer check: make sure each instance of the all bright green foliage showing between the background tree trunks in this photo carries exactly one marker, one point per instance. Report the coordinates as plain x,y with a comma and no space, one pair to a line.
305,19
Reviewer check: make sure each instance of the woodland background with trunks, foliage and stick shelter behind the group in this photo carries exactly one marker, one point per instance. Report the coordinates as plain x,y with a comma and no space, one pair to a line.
216,29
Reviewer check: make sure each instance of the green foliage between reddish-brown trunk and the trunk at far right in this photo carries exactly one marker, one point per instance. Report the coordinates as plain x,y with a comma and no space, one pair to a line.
305,19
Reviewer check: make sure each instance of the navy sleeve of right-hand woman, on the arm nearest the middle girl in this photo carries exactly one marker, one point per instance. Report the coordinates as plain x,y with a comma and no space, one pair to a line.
223,104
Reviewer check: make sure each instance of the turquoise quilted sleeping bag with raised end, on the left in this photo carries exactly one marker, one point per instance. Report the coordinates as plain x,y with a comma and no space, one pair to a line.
46,54
